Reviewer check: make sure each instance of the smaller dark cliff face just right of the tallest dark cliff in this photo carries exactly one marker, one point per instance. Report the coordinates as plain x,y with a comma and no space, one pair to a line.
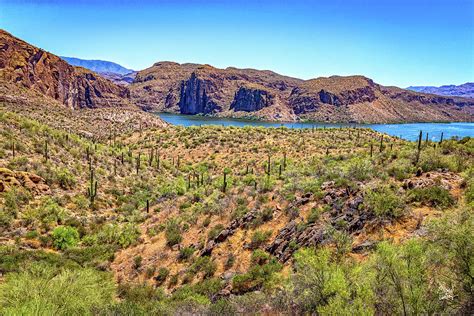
251,99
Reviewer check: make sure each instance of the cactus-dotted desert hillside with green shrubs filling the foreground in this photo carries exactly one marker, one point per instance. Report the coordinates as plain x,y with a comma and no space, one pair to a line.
229,221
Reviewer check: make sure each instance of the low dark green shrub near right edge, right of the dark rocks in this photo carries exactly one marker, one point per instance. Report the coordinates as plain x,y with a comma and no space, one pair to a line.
434,196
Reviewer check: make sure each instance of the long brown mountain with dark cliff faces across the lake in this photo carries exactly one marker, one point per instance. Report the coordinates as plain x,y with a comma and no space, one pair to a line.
232,92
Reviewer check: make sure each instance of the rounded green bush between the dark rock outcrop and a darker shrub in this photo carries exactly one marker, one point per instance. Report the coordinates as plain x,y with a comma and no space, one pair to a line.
383,201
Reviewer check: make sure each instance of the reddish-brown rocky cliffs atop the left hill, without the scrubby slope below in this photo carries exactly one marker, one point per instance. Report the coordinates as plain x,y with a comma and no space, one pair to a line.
30,67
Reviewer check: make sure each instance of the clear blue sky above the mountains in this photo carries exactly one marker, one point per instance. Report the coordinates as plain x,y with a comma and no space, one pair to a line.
402,43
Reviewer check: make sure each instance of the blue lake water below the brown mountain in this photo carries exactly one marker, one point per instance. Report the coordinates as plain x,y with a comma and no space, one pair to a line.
409,131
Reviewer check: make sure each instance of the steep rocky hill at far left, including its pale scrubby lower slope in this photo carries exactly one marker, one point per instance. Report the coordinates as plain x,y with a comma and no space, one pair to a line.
42,86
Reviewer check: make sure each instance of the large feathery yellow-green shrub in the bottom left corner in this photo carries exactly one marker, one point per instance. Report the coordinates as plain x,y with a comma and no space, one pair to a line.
43,290
